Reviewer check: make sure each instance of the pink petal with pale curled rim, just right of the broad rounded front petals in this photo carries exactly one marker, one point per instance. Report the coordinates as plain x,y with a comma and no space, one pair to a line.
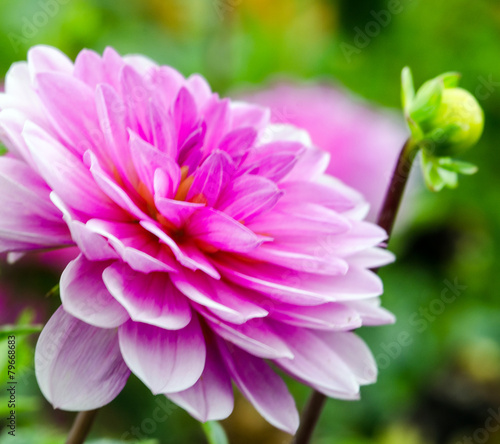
230,303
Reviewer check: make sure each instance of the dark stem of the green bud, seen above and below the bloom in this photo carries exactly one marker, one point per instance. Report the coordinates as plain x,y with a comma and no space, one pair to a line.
386,218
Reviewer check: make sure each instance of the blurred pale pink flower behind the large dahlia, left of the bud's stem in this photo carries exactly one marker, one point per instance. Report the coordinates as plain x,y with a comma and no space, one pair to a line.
364,142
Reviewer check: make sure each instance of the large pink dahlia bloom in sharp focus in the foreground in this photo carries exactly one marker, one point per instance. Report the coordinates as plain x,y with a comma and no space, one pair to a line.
212,244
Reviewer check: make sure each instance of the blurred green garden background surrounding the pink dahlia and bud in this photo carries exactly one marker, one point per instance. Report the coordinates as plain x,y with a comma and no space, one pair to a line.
439,377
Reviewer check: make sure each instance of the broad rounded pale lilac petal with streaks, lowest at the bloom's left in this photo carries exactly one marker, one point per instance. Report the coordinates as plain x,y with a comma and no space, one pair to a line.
78,367
